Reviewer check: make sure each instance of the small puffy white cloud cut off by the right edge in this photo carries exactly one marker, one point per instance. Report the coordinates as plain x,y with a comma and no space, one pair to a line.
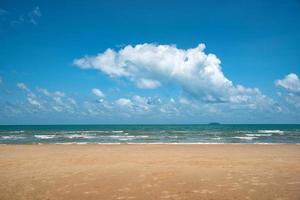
290,82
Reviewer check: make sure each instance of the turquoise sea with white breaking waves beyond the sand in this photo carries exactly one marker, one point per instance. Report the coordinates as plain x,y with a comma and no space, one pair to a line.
82,134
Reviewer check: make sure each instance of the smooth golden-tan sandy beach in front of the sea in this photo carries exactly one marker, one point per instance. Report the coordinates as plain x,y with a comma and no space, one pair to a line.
150,172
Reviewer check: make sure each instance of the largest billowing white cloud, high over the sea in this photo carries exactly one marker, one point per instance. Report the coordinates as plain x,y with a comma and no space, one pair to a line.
150,65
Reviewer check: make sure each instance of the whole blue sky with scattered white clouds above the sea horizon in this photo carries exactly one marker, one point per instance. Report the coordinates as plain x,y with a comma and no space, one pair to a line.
149,62
